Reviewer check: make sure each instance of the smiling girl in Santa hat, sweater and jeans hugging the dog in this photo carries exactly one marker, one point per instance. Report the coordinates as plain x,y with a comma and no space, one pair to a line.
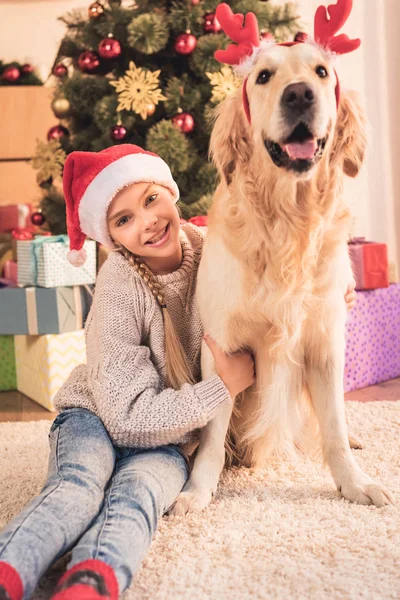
117,448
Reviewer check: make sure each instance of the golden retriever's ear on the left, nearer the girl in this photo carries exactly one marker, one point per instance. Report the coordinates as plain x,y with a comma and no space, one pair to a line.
230,143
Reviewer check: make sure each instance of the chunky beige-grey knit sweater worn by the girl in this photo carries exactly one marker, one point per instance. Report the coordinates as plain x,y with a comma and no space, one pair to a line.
123,381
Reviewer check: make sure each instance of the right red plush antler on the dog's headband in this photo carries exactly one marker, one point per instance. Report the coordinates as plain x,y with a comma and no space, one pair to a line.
325,29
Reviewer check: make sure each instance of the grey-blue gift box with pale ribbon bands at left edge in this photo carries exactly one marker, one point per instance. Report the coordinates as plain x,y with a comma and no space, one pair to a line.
43,310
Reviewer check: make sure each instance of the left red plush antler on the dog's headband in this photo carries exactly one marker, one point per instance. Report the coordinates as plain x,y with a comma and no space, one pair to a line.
244,33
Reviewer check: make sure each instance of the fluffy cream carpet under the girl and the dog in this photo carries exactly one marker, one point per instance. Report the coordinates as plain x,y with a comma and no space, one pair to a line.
280,533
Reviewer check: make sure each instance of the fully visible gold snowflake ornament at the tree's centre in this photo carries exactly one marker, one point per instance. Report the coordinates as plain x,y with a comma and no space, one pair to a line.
137,89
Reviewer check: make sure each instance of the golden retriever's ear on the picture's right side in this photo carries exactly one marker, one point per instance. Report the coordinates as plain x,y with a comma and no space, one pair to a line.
350,134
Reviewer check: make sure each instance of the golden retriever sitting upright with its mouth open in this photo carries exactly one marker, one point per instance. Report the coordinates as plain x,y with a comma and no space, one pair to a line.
275,268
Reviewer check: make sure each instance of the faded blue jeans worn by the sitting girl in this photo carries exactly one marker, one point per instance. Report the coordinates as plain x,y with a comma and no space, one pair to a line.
100,500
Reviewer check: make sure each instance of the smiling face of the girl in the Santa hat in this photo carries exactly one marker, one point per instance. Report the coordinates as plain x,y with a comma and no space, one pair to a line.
143,218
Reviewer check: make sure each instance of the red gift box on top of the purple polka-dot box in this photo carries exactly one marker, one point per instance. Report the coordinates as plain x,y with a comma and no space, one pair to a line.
370,264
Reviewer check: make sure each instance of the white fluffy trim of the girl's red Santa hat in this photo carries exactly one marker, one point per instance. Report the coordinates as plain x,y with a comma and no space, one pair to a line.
132,168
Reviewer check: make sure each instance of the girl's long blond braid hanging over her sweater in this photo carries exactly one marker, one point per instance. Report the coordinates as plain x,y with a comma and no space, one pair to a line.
178,367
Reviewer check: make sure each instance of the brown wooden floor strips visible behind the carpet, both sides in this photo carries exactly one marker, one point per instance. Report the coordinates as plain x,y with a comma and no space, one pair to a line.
17,407
